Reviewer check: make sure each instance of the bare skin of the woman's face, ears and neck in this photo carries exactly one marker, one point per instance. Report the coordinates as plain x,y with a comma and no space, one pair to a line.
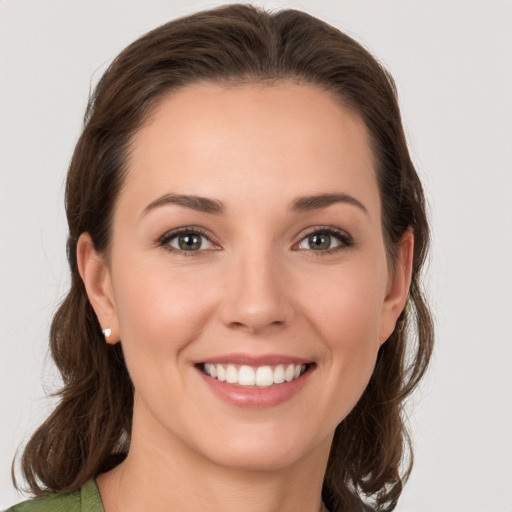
256,287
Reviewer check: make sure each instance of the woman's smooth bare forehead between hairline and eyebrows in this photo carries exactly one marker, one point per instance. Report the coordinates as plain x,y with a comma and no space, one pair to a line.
248,141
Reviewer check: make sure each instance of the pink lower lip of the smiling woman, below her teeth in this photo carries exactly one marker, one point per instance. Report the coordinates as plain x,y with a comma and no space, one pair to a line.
256,398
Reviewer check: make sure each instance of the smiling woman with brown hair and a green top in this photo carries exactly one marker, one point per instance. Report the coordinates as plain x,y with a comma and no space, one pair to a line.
245,230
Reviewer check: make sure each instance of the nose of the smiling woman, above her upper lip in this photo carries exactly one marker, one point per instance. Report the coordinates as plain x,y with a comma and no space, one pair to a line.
257,294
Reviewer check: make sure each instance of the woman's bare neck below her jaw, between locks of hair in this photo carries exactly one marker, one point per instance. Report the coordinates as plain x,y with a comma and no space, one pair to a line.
156,475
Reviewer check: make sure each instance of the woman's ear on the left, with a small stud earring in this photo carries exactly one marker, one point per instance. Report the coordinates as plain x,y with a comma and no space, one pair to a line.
96,277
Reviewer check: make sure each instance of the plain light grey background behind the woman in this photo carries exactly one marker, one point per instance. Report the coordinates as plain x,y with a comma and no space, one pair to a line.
452,63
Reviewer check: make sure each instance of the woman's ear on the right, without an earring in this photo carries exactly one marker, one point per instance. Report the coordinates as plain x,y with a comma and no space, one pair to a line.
398,286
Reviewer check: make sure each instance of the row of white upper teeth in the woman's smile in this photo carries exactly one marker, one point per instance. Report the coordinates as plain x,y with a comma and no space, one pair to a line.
261,376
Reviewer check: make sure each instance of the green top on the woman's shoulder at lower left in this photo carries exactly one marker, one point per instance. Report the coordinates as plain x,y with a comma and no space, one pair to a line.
86,499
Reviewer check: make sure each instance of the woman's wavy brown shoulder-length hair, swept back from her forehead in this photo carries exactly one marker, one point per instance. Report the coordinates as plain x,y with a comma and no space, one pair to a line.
88,432
